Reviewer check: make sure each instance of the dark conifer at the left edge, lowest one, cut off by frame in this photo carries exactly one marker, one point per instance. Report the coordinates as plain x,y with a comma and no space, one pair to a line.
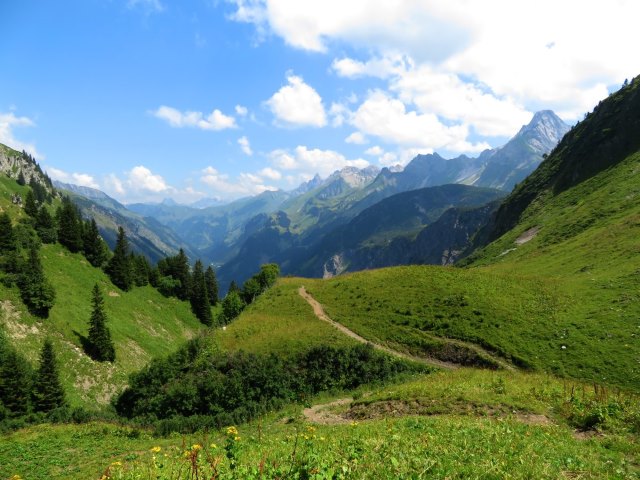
15,381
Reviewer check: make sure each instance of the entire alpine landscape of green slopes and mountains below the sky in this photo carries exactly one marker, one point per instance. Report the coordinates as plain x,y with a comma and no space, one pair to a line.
455,318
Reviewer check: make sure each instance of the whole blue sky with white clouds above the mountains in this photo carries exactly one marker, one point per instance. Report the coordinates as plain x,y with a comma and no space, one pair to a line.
193,99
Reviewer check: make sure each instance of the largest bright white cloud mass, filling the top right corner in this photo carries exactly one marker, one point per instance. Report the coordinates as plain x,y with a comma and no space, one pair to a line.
558,55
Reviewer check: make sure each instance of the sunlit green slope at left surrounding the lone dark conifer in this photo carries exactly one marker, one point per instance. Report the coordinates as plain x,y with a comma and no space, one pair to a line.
143,324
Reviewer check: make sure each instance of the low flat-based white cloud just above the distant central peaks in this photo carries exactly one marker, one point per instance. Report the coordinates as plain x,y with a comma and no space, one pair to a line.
311,161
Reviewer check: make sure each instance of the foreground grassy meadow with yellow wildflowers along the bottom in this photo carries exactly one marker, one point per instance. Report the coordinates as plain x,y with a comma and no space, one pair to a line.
497,424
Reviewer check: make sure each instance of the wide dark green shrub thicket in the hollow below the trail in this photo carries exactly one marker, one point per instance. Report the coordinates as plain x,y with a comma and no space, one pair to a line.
237,387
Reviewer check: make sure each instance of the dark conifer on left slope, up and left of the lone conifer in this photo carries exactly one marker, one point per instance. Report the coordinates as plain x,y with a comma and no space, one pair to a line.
36,291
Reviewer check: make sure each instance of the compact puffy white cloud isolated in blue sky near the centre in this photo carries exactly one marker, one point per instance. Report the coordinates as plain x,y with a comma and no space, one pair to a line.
298,104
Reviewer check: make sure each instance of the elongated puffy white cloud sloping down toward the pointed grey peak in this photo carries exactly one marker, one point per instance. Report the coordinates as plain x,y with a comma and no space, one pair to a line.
388,119
